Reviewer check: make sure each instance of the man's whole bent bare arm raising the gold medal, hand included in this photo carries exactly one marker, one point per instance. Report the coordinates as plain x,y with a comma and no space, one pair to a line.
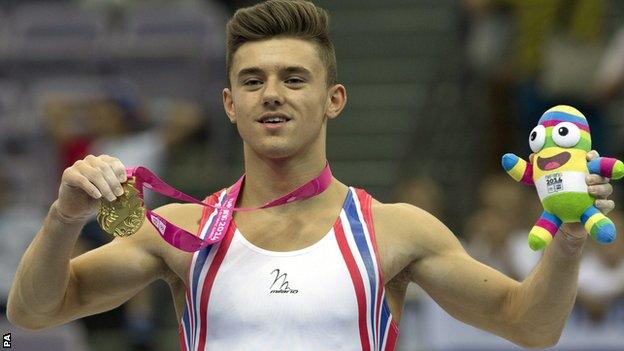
49,289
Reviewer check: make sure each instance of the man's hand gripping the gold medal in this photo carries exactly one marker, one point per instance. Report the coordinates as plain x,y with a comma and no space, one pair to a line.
85,182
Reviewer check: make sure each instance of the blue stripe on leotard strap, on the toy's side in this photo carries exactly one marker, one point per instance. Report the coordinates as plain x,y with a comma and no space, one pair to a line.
360,241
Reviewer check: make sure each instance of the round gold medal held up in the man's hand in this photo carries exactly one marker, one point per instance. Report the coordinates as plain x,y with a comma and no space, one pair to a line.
125,215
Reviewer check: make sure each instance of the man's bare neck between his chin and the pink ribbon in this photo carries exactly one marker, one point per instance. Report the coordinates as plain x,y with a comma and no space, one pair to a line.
267,179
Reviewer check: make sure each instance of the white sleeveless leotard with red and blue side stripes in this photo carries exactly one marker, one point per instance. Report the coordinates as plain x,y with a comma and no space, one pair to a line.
327,296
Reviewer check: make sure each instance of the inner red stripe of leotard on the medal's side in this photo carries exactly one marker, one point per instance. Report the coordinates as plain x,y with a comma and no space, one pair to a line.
209,281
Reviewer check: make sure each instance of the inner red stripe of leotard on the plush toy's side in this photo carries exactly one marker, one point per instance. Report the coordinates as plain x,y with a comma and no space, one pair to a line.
358,284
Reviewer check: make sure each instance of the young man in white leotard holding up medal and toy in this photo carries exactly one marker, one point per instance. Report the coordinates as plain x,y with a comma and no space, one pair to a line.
325,273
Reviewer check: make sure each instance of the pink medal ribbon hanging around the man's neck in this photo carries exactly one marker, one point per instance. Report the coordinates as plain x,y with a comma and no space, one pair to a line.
186,241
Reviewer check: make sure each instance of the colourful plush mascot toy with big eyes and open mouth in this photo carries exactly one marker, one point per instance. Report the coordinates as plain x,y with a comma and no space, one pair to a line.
560,143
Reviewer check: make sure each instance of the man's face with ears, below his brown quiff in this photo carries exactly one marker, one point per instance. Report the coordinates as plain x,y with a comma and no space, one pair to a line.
279,98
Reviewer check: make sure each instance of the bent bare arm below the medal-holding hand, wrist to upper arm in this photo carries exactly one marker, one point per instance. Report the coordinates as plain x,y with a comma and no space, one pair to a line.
49,289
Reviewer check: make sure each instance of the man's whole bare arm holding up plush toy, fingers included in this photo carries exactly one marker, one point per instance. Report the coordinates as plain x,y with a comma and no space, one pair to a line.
531,313
